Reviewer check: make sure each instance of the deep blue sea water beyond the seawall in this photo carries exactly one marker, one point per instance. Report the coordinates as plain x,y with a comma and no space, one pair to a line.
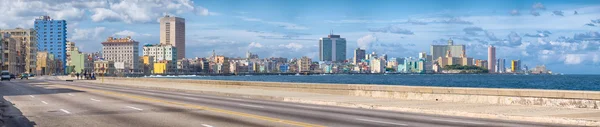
560,82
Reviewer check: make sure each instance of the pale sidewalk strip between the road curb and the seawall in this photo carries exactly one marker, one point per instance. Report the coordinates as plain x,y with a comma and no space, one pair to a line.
584,117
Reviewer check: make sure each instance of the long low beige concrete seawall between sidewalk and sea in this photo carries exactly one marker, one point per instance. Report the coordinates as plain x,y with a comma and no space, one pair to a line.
551,98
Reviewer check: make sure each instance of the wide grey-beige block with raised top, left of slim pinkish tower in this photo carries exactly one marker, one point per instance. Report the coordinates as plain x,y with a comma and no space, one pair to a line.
438,51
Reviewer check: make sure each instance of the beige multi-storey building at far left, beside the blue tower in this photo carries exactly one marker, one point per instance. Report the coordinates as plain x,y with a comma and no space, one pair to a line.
26,48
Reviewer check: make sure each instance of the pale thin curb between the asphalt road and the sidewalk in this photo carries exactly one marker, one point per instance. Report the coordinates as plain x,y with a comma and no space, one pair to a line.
554,120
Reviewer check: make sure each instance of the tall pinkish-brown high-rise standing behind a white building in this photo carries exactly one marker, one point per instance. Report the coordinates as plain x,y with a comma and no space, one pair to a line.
172,32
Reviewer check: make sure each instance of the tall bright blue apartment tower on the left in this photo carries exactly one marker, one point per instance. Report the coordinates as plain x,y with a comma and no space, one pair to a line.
52,38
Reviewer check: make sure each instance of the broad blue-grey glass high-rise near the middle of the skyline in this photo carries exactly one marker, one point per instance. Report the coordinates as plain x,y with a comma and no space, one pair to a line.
332,48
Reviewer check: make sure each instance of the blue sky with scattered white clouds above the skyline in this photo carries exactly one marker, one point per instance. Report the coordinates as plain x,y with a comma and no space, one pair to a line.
563,35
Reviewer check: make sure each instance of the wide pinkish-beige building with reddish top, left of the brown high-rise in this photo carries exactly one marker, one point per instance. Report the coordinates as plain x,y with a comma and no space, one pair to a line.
123,51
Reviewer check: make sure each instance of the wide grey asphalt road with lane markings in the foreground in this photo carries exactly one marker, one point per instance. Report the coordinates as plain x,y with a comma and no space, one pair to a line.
59,103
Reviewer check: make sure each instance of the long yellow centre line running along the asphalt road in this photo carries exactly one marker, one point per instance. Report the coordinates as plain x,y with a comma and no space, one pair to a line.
217,110
